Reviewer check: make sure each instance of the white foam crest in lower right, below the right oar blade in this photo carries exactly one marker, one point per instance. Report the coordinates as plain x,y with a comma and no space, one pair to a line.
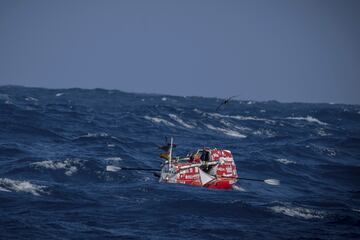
299,212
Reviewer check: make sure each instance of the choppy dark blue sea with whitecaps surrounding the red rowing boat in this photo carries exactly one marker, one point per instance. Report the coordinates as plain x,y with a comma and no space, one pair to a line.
59,150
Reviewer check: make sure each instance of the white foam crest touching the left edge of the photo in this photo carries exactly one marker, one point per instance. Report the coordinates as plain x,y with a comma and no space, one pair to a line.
9,185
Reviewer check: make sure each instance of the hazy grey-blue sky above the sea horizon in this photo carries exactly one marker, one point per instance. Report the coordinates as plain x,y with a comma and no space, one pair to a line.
306,50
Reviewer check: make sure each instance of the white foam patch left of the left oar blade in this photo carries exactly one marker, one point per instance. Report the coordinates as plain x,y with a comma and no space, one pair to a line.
69,165
